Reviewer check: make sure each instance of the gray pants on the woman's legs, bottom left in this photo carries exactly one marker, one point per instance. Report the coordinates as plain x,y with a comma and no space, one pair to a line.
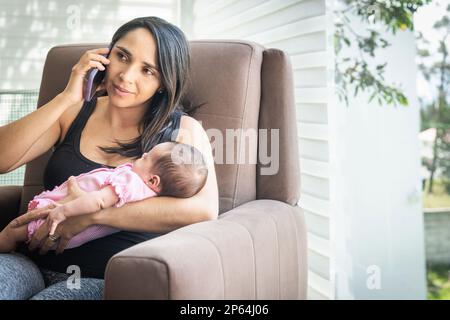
21,279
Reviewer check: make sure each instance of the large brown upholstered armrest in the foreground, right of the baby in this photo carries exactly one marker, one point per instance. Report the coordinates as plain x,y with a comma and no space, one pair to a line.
255,251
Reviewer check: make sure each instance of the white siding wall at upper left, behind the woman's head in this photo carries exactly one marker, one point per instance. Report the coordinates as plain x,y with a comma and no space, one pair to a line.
29,28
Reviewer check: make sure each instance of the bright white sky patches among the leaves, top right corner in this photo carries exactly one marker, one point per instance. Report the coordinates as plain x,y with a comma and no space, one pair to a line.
424,20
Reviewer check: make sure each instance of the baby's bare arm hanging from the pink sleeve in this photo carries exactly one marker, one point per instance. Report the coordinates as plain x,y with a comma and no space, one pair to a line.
88,203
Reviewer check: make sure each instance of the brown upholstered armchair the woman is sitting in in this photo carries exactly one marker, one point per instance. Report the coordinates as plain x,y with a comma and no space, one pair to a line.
256,249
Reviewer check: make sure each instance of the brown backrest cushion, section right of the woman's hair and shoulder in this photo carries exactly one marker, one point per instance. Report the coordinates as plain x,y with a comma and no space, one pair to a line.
225,76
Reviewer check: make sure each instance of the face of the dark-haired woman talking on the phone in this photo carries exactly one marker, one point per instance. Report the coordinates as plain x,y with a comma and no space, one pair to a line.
133,68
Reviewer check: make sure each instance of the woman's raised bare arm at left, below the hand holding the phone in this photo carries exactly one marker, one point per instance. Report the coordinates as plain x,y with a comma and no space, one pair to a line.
27,138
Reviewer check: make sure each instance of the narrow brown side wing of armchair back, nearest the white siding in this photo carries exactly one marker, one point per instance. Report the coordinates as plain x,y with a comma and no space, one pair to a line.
278,112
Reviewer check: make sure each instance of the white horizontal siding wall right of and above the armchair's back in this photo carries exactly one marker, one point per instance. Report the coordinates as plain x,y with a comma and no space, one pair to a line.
302,29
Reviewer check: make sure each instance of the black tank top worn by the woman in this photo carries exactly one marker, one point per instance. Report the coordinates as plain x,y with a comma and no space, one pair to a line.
66,161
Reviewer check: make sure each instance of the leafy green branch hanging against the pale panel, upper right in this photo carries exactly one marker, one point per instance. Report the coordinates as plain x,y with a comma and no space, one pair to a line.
392,14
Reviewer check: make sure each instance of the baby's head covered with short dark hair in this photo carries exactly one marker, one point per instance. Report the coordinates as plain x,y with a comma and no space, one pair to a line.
182,170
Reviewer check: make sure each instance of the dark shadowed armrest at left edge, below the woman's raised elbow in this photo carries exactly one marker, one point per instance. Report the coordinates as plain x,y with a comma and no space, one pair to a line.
9,203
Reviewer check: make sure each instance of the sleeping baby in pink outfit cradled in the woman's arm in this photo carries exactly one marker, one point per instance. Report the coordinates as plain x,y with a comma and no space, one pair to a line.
169,169
